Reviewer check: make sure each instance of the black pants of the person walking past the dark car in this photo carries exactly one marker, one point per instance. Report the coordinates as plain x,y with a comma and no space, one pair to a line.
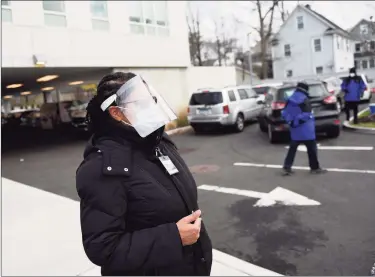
312,152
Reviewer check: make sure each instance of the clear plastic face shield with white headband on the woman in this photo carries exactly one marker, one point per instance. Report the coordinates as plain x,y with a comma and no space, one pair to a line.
144,108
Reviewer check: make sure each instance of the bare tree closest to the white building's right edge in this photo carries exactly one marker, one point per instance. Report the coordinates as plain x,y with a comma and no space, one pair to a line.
195,37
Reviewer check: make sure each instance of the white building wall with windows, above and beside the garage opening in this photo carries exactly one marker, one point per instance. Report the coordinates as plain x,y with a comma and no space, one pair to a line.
146,37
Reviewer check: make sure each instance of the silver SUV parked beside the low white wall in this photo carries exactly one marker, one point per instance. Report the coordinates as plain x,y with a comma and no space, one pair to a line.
229,106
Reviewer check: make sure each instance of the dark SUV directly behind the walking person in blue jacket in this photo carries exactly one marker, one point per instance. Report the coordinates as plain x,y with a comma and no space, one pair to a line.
324,106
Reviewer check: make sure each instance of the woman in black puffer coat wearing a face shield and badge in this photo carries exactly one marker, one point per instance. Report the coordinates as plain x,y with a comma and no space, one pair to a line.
139,210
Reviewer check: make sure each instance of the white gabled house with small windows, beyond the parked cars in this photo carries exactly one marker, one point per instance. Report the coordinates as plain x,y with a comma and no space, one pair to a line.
310,44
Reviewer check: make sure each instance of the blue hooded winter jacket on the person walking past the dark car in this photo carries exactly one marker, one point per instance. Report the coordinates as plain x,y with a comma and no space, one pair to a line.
298,114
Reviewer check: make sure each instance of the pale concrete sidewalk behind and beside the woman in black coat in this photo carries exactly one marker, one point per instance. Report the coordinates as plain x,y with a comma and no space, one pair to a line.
41,236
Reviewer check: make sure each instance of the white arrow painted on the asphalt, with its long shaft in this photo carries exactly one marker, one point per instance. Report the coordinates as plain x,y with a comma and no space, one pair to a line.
277,196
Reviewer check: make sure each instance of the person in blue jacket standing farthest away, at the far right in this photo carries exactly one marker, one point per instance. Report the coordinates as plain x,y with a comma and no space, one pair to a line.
353,87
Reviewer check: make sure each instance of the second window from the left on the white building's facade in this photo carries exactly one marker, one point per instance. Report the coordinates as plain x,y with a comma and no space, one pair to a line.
54,13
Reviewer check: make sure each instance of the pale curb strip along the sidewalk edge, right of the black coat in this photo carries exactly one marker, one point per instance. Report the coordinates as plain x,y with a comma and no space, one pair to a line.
240,265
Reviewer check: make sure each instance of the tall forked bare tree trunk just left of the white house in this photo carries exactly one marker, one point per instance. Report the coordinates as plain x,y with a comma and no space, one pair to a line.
265,30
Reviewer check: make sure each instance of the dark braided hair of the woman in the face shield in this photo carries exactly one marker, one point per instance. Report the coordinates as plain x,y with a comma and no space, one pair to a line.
99,121
